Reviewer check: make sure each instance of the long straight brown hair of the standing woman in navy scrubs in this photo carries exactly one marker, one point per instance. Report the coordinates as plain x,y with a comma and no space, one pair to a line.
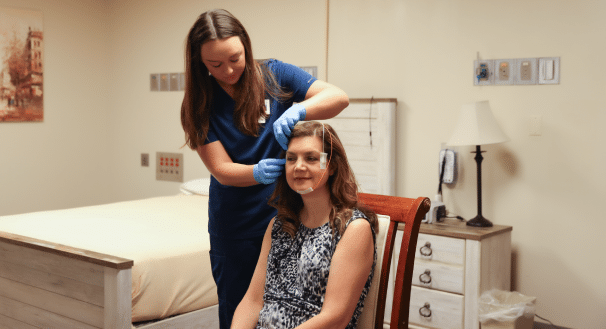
250,90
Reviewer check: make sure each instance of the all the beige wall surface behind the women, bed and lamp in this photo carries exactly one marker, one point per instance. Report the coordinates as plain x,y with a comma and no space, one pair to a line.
100,114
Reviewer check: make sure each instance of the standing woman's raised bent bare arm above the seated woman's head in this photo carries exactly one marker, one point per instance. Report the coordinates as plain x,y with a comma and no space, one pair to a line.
324,101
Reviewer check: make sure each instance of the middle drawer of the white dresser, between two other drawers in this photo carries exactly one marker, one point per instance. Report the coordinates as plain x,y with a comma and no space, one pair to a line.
440,276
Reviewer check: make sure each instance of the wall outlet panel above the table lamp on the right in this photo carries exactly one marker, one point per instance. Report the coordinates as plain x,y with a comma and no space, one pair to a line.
517,71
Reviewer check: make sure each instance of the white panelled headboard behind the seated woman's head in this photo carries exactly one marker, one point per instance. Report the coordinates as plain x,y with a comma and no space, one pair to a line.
367,128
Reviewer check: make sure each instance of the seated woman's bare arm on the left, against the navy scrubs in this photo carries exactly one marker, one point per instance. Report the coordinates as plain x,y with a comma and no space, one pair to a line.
247,312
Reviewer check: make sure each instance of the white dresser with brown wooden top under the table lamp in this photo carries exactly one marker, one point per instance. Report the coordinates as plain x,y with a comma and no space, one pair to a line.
454,264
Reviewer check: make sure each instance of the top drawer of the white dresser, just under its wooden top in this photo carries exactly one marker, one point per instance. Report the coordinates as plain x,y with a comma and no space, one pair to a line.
440,249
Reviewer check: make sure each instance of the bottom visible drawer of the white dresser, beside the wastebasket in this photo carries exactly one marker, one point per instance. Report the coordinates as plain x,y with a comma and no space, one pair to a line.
441,309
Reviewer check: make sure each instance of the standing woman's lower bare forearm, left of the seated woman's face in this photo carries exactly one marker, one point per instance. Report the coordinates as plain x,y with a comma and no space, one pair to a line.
221,166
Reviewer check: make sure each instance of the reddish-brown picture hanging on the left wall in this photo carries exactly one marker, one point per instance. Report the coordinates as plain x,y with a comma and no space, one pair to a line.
21,65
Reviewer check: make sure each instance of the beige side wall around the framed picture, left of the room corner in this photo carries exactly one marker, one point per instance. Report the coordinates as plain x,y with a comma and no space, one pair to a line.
62,162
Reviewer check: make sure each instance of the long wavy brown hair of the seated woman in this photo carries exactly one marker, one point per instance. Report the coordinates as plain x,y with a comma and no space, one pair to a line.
341,184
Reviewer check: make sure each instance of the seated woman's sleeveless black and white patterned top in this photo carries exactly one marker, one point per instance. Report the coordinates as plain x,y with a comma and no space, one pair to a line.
297,274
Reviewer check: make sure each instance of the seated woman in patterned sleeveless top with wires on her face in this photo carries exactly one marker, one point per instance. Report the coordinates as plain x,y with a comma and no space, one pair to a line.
318,253
